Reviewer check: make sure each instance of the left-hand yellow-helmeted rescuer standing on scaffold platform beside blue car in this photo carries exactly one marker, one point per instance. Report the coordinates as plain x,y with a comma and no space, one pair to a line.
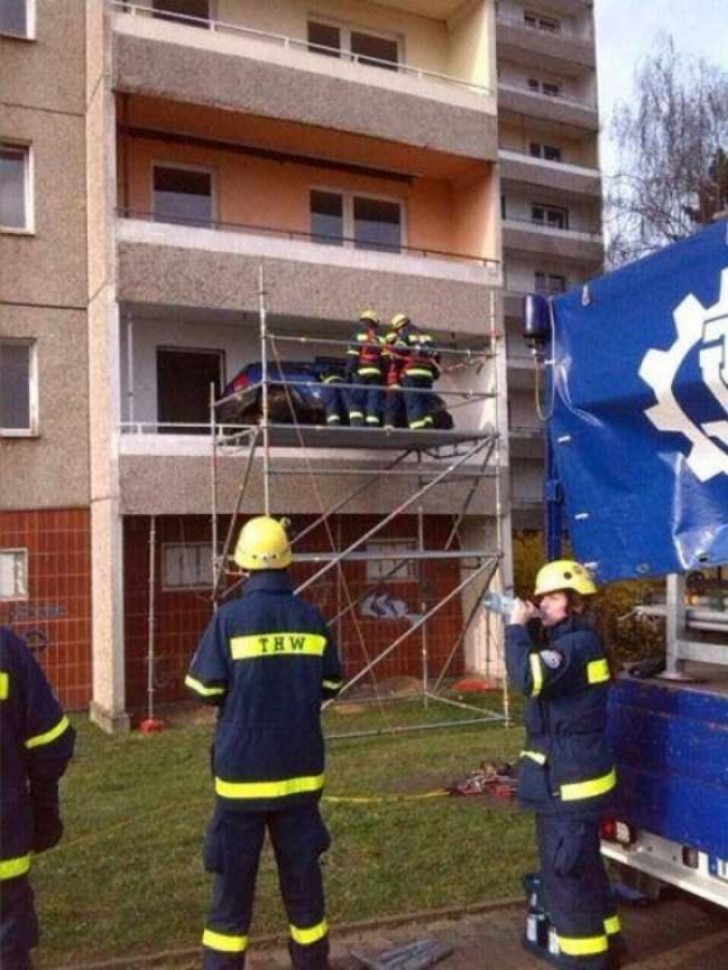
364,370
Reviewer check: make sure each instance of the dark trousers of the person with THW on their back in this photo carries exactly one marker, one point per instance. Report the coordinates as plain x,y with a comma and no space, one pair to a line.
233,845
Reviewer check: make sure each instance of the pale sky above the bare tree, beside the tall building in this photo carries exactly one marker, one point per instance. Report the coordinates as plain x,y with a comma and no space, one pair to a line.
626,33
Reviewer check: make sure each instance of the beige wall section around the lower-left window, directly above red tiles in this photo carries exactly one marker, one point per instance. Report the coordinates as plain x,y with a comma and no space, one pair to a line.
51,470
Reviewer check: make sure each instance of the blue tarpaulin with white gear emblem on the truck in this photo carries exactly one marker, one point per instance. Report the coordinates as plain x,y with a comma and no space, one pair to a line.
640,411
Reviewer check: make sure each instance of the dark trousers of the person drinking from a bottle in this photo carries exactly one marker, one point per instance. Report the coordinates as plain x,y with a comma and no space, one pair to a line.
577,891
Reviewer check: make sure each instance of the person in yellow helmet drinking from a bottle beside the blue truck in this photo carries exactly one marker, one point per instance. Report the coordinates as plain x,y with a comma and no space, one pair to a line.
567,770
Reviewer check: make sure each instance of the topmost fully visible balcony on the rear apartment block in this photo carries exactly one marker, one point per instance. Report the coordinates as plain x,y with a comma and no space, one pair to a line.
559,52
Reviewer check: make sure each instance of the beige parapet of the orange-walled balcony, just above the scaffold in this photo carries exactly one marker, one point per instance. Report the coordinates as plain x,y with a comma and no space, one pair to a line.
193,278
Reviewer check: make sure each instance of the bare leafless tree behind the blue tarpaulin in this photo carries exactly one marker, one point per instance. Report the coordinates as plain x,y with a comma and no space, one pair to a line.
671,140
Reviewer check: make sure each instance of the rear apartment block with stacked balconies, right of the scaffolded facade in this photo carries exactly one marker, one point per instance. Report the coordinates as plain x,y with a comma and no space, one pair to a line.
550,188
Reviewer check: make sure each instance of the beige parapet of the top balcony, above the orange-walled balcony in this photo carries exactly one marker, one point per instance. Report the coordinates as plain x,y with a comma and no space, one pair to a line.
192,74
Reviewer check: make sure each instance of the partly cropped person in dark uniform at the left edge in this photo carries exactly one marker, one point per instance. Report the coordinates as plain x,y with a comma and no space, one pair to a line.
36,744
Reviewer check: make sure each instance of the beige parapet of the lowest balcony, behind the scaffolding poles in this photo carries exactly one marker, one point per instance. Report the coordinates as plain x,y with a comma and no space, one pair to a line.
181,486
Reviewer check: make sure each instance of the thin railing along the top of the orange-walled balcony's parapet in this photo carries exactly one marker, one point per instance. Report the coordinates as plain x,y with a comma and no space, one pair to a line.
335,242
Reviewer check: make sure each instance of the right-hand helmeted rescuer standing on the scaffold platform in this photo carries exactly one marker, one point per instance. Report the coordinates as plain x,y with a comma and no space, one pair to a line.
412,366
